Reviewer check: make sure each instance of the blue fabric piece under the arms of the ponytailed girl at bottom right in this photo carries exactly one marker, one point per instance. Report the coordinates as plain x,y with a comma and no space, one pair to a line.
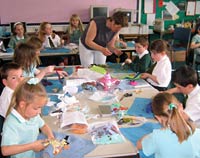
133,134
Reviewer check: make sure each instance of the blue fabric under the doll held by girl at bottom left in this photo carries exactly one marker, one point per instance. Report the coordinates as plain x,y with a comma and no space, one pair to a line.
78,147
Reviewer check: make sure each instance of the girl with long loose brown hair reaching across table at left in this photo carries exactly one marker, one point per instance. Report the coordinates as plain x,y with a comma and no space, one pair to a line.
26,57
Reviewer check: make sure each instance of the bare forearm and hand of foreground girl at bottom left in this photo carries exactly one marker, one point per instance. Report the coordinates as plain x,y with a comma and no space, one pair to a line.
16,149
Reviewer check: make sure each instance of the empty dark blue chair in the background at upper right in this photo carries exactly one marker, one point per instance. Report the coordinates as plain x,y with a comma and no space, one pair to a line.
180,42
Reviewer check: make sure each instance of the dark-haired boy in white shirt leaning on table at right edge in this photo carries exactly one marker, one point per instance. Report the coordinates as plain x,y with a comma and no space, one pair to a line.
185,80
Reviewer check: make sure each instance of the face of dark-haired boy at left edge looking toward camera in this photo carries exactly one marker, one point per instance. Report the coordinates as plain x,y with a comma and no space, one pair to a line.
13,79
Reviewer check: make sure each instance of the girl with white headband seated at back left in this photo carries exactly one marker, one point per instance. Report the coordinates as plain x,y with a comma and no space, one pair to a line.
18,35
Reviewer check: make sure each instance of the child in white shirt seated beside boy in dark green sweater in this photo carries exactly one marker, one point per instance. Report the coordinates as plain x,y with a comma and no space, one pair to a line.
161,73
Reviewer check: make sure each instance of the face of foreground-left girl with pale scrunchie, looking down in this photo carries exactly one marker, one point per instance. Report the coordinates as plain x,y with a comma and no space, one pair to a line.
34,108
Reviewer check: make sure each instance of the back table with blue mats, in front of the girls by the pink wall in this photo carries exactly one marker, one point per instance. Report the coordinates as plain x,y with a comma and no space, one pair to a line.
44,53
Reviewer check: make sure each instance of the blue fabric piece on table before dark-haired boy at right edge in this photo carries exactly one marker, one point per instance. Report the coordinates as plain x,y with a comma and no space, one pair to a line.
140,108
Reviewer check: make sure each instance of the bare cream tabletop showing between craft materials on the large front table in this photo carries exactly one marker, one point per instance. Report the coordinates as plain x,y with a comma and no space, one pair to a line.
125,149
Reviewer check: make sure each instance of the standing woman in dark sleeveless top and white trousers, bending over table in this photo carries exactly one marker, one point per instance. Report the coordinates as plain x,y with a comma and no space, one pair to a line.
98,39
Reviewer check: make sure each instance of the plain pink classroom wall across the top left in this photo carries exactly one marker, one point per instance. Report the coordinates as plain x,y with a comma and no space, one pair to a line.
36,11
